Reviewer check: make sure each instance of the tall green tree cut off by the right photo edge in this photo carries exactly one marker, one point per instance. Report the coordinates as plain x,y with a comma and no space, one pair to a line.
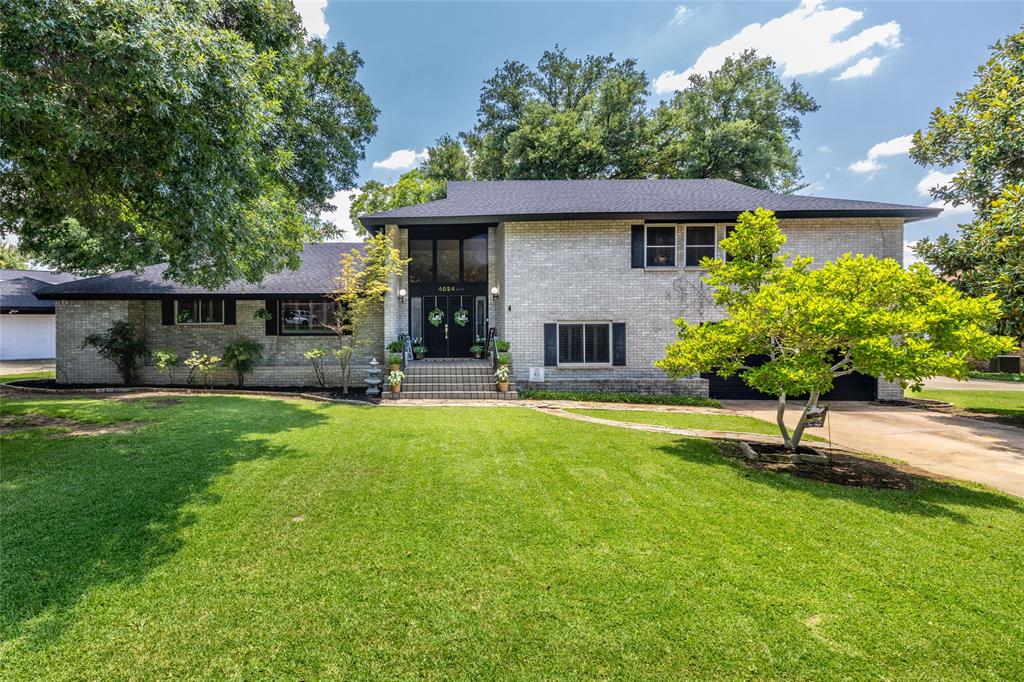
982,135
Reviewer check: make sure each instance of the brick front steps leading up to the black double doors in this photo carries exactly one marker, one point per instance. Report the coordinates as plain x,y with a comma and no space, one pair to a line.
455,379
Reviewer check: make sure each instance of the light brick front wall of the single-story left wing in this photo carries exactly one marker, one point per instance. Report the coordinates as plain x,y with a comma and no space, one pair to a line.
283,363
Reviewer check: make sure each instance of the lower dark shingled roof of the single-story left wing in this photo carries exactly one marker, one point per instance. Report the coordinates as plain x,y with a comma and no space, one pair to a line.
315,277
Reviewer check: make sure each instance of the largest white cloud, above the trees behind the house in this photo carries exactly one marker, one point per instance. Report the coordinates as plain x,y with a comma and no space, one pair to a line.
803,41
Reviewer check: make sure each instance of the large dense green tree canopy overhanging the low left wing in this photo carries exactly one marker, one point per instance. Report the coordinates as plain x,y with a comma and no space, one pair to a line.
208,134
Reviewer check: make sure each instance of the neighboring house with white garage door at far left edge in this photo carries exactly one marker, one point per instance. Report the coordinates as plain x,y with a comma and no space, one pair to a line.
27,327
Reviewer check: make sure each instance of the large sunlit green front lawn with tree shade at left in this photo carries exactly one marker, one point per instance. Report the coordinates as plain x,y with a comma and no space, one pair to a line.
263,539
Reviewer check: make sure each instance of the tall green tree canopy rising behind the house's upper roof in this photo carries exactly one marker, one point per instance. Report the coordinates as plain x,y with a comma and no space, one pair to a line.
589,118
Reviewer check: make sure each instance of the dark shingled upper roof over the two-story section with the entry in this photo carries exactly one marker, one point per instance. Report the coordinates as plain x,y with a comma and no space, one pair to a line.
497,201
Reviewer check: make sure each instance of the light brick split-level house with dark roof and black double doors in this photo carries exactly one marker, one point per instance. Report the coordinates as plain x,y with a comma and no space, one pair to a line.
585,278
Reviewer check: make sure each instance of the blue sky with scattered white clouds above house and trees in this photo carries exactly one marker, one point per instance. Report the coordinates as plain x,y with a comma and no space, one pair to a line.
878,70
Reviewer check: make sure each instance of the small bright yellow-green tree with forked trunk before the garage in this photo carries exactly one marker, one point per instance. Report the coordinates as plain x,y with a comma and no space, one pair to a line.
859,314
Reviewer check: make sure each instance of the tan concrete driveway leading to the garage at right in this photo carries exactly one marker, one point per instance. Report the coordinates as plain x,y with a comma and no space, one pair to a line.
945,445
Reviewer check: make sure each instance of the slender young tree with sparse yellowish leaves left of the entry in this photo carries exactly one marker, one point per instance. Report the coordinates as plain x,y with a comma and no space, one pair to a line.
366,277
